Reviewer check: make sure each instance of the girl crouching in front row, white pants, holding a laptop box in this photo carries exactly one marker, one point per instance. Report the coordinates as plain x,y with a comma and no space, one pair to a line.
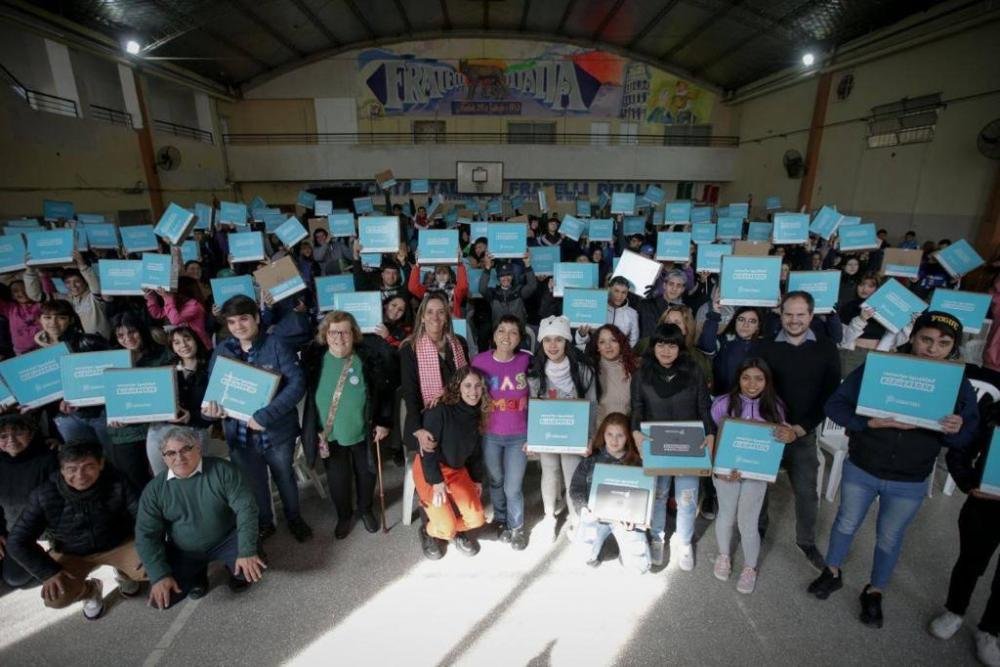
613,444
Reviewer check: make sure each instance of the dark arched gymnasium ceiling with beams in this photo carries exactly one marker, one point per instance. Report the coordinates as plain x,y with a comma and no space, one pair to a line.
726,43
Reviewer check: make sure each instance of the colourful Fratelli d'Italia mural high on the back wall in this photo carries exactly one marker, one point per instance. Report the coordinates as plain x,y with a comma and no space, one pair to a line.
523,79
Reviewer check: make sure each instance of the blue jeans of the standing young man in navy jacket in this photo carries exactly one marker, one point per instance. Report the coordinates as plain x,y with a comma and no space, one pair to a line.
255,465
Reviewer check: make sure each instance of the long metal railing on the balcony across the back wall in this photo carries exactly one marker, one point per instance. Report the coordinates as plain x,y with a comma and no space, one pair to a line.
398,138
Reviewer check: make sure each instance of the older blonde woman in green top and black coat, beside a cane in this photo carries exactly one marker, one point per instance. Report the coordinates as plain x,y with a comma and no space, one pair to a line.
336,425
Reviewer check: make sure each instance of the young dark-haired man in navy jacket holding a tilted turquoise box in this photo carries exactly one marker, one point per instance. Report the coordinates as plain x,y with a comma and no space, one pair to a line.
267,441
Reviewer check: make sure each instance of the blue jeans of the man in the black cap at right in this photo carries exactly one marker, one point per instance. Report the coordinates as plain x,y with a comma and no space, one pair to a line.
898,503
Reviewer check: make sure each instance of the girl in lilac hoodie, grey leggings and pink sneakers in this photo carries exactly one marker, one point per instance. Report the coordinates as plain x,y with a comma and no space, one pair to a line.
751,398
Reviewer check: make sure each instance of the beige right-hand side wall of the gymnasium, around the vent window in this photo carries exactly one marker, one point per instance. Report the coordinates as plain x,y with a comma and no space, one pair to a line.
940,188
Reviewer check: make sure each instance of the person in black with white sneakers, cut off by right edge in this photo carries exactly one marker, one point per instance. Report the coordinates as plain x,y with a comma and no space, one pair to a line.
979,536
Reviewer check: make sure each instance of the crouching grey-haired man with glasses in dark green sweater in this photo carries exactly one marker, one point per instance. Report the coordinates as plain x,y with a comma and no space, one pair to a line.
197,511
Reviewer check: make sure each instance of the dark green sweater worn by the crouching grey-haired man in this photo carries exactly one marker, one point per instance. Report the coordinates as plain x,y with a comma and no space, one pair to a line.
197,512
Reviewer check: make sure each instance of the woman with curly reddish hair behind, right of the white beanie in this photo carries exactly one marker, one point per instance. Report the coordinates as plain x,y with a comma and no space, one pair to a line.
609,352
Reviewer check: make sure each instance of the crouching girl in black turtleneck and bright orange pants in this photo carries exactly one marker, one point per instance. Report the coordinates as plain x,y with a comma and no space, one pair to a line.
449,477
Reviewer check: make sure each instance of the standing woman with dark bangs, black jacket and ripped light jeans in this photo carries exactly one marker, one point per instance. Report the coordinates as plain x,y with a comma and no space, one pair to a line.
671,388
